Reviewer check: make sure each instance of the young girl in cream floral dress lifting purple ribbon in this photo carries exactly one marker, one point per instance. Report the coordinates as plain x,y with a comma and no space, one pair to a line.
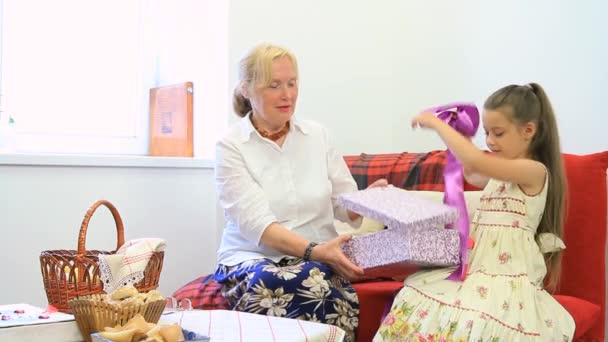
516,230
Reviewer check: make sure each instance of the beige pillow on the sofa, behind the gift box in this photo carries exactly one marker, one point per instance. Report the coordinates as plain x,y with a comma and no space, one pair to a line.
370,226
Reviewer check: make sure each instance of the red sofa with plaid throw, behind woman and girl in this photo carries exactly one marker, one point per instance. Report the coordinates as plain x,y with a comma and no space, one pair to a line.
582,288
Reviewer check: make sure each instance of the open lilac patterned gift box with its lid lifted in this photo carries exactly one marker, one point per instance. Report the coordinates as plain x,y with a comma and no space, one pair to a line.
415,235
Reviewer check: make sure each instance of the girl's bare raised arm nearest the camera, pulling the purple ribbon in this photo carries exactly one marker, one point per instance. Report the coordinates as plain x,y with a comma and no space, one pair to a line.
529,174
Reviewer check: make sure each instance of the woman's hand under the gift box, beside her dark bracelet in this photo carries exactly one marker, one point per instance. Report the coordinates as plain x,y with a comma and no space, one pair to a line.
330,253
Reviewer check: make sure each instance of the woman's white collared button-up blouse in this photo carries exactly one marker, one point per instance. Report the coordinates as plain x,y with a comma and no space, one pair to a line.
296,185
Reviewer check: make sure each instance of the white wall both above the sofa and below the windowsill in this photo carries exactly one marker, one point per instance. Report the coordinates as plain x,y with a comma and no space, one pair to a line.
366,67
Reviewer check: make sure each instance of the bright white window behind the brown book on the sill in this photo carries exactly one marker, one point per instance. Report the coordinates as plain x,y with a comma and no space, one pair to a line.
76,74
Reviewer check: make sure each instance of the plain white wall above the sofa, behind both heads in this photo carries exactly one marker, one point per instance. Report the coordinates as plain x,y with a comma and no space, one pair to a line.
368,66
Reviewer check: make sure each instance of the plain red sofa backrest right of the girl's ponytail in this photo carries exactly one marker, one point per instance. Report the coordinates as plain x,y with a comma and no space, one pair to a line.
583,264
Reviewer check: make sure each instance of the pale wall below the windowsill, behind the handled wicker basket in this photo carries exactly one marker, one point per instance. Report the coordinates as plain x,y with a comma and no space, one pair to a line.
42,208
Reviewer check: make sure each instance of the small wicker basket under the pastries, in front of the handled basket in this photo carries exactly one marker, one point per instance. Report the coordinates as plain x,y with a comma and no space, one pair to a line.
93,315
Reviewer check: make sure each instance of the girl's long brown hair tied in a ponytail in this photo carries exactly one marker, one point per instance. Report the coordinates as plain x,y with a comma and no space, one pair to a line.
529,103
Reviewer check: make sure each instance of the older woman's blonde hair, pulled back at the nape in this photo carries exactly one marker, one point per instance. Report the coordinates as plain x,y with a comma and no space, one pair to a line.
255,69
